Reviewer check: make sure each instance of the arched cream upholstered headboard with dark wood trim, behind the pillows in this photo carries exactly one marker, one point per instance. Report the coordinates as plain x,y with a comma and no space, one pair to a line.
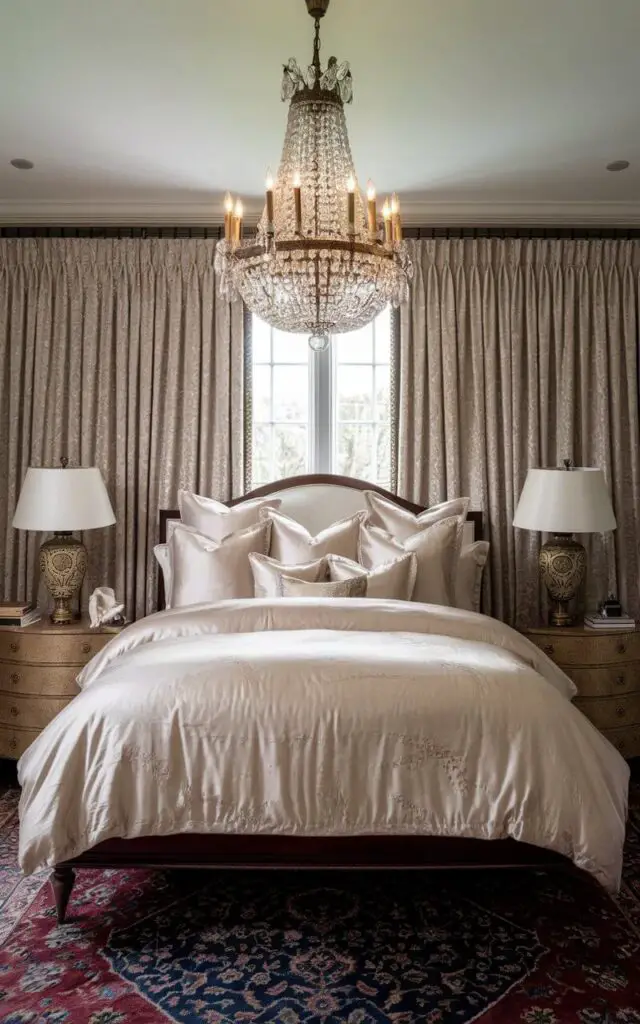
317,501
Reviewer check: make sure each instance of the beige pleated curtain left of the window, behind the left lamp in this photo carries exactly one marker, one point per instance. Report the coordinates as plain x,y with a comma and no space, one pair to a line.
117,354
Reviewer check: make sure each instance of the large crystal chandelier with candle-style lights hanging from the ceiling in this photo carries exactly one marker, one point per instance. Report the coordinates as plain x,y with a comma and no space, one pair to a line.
321,262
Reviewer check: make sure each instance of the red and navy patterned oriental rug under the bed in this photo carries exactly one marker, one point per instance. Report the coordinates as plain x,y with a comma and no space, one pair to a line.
300,949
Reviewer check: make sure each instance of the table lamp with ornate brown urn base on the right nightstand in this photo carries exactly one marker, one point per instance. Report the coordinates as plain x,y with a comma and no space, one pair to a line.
574,500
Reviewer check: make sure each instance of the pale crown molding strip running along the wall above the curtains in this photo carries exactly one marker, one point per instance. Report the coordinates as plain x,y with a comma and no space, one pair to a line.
415,215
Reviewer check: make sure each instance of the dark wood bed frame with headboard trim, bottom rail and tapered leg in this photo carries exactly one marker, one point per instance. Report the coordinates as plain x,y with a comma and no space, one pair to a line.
266,851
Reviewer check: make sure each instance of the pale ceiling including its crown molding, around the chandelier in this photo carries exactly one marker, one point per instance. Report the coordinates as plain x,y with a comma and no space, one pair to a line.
475,111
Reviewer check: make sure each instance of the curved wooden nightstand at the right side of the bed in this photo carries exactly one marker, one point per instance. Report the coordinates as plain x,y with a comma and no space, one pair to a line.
606,667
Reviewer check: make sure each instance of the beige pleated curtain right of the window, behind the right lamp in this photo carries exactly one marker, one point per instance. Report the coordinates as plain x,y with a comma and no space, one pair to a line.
518,354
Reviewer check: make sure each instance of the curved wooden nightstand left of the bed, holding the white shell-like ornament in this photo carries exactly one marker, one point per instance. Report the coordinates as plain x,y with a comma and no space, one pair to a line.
38,669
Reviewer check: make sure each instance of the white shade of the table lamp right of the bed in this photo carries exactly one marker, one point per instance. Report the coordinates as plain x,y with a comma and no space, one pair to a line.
566,501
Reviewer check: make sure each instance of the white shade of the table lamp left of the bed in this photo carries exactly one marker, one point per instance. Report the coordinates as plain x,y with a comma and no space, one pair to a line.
62,500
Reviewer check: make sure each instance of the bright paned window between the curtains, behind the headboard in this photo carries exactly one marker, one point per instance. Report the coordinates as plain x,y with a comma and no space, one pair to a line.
322,412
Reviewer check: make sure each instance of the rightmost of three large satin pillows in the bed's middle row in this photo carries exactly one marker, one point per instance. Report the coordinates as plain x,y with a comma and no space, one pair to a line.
437,549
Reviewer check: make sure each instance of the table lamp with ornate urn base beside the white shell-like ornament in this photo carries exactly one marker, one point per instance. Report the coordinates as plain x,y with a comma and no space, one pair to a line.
60,501
